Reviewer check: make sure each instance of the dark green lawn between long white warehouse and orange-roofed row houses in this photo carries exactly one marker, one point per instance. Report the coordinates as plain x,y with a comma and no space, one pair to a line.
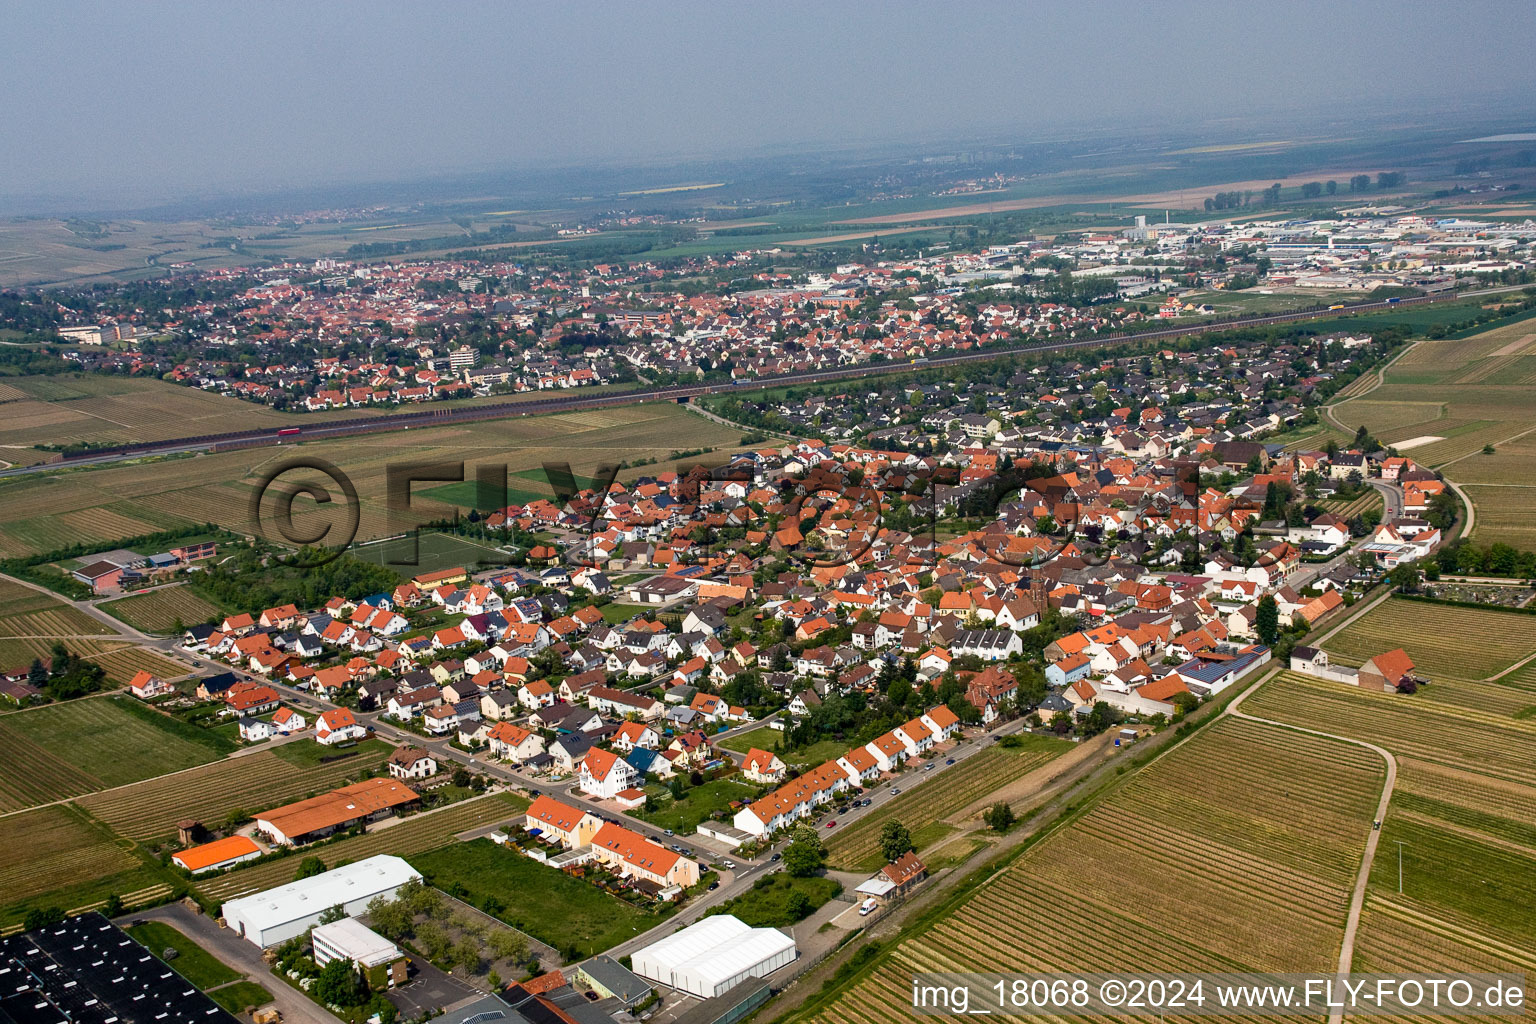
546,903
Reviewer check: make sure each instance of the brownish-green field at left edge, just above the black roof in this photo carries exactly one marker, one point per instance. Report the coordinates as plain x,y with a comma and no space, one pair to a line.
56,857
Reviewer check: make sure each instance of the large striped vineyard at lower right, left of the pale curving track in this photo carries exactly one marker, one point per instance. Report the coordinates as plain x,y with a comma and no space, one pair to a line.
1237,851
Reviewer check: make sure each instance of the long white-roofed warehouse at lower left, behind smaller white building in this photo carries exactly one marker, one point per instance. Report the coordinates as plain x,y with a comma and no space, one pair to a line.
280,914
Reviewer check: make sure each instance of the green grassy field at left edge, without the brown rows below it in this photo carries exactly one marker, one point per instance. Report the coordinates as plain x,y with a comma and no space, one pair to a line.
116,739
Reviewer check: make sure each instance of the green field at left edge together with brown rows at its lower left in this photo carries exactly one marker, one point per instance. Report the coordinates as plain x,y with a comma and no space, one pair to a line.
96,744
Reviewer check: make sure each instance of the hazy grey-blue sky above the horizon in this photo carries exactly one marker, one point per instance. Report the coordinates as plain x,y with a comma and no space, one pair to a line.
151,101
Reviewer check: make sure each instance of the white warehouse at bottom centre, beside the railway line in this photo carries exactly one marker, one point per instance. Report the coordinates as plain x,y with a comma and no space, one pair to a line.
715,954
